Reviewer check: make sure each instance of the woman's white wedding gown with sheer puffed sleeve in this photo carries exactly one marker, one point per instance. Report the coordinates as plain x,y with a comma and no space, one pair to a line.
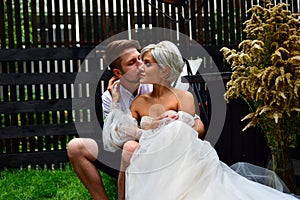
172,163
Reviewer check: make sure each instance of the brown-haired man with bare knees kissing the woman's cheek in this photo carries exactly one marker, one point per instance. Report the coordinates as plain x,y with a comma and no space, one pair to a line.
124,60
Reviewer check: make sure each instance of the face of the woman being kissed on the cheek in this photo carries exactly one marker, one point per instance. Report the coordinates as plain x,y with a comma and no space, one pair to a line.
150,71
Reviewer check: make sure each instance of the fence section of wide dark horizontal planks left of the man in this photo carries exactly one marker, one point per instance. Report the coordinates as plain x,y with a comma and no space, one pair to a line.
37,113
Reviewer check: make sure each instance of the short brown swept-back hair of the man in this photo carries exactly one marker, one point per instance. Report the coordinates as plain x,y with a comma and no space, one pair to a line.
115,49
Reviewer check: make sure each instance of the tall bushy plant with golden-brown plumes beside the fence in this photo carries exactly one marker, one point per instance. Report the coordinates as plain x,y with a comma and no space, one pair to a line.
266,75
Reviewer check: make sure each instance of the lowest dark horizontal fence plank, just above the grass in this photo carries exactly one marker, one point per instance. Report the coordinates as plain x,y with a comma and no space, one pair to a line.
15,160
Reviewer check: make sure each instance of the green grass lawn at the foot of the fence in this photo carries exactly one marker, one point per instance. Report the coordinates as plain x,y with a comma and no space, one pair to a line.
48,184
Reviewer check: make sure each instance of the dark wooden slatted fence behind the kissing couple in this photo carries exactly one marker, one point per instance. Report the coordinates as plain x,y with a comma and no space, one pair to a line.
43,45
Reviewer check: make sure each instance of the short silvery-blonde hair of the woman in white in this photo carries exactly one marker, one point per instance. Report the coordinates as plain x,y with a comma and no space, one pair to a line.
166,54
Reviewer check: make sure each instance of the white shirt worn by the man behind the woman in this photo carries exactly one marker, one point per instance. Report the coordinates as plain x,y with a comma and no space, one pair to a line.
126,97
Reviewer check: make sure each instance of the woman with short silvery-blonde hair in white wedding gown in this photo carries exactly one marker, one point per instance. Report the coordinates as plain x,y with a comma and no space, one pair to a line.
167,160
